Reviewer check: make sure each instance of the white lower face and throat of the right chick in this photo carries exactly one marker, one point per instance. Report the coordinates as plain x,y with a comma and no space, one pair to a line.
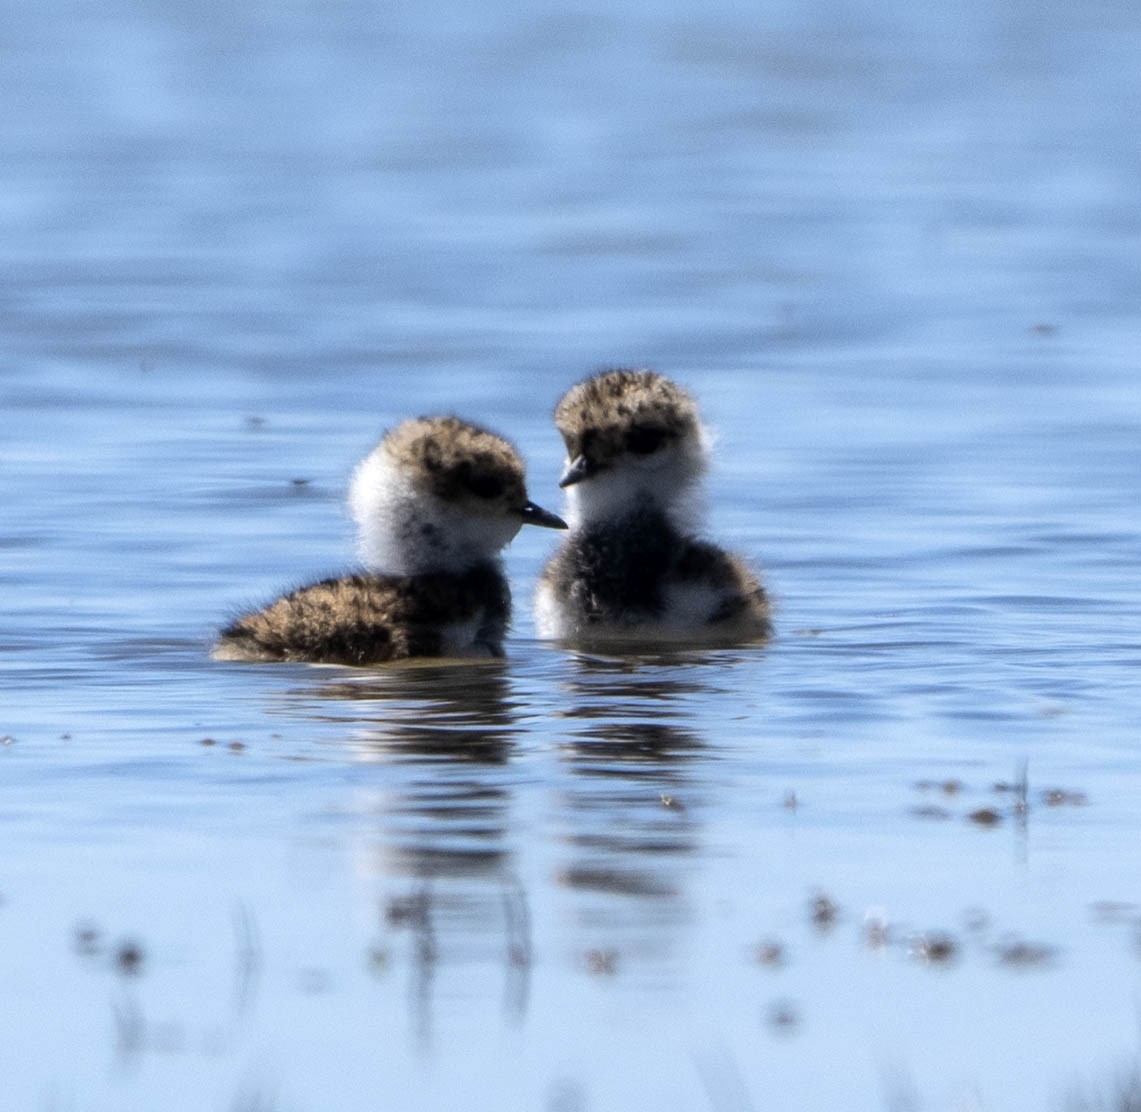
666,478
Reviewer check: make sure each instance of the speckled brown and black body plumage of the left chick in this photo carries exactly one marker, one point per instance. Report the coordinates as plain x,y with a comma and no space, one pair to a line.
363,620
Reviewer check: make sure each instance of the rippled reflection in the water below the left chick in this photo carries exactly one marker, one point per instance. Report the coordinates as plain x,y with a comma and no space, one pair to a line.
439,816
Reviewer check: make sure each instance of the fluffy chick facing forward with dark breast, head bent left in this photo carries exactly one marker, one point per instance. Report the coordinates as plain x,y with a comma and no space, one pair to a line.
633,569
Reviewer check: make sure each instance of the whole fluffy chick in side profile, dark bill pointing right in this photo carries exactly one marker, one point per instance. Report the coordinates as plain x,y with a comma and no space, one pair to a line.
435,504
